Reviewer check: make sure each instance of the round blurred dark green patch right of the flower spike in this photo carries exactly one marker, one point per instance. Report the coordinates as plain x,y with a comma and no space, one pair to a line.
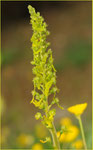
79,53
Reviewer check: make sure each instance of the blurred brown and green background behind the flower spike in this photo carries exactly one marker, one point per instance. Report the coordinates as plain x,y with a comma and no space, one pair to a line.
70,25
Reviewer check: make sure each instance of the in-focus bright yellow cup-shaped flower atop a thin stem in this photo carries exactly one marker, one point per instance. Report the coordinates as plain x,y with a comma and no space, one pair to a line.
77,109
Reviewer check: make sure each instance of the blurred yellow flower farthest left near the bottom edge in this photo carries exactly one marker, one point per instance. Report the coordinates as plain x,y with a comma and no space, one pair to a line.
25,140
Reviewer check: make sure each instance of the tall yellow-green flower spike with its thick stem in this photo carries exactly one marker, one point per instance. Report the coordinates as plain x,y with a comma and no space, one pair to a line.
44,73
